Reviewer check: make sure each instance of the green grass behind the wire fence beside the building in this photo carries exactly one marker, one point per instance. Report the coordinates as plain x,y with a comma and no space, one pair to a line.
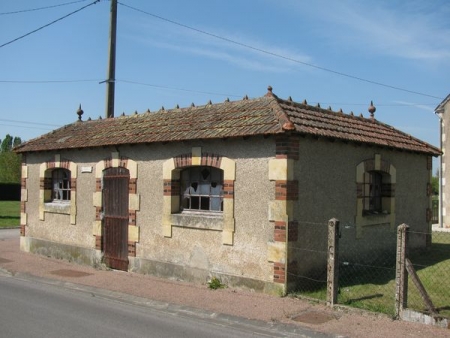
373,288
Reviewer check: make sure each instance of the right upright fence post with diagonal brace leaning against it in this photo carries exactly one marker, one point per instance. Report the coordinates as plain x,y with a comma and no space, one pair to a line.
401,275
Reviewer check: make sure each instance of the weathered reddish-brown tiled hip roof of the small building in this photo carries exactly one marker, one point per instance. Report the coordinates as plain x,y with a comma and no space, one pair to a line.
266,115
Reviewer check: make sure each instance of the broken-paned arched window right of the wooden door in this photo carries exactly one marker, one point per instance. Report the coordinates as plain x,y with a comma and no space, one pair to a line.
202,189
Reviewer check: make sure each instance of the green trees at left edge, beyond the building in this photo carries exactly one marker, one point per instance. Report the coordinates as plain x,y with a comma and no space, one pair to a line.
10,162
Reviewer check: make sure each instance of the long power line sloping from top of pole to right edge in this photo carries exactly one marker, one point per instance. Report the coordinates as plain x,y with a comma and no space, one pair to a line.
279,55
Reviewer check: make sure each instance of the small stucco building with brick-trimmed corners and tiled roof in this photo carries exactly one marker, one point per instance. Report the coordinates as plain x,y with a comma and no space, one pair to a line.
226,190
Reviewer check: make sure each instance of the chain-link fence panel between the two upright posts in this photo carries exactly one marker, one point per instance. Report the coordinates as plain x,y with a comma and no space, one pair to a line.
367,267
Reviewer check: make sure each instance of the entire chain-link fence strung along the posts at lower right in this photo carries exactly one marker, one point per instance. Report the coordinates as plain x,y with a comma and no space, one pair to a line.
367,266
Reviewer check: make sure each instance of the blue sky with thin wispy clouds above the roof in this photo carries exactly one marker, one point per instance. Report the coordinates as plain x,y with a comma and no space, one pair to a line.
342,54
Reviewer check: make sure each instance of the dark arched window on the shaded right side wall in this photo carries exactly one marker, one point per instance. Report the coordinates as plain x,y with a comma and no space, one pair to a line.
372,195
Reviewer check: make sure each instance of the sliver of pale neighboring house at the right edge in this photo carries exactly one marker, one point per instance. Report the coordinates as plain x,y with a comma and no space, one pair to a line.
443,111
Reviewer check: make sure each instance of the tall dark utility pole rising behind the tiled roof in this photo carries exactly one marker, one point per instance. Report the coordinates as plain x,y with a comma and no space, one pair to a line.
110,82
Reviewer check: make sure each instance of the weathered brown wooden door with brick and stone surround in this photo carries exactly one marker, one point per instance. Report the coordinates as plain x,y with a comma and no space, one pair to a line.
115,217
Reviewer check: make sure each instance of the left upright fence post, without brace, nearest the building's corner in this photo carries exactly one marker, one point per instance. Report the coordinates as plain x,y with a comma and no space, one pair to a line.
333,262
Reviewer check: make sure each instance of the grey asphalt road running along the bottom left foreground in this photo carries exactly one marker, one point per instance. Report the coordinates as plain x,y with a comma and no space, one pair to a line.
30,308
